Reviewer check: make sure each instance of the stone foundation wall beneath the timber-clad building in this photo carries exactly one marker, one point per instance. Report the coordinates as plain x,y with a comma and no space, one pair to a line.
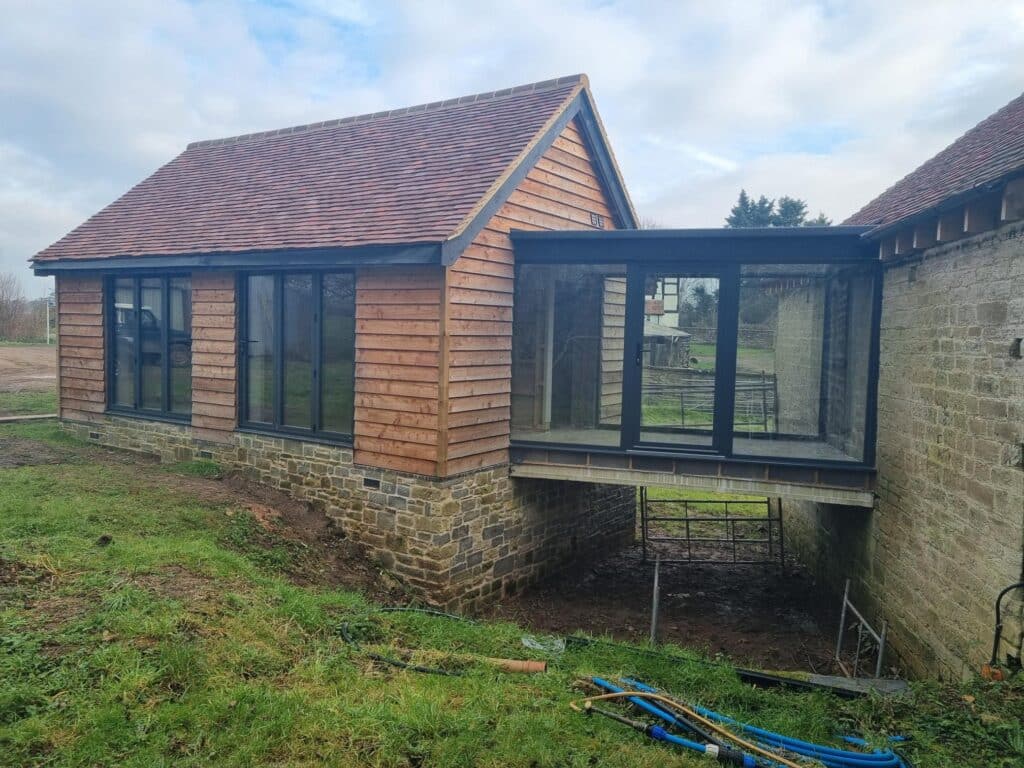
459,543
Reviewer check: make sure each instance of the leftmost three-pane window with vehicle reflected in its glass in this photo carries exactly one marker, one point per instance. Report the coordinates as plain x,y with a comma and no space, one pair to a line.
149,326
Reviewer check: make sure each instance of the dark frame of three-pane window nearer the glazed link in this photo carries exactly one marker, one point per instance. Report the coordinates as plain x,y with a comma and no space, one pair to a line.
278,428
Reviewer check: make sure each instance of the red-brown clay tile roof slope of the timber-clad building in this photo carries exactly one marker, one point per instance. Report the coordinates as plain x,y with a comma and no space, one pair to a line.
403,177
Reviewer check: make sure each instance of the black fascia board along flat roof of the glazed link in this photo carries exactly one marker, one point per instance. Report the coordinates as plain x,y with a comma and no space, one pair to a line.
770,246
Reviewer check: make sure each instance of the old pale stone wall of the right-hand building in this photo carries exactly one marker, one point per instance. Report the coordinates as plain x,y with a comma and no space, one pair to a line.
949,531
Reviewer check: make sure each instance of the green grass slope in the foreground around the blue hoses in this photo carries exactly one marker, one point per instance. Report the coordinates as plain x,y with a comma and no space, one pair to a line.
141,626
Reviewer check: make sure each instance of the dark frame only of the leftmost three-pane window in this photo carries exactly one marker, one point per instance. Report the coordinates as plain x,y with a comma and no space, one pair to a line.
164,413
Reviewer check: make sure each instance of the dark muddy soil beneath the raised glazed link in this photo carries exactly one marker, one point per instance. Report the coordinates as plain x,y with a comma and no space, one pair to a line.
757,616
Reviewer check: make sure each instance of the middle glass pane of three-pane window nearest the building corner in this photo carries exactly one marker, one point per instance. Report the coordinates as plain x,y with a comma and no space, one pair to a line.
297,351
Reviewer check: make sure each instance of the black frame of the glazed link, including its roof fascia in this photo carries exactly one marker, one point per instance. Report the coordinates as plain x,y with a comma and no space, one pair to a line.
722,252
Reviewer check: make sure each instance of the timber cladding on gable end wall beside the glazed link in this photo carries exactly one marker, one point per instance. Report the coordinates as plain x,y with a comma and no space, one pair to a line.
561,192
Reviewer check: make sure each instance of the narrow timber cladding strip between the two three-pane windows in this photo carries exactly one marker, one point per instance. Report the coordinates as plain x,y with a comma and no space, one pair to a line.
215,357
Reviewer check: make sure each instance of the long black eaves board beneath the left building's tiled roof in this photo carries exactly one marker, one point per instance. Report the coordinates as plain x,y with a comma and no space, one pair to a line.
415,253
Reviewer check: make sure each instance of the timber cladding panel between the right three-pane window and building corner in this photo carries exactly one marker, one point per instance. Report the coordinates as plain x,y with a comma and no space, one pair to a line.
398,368
